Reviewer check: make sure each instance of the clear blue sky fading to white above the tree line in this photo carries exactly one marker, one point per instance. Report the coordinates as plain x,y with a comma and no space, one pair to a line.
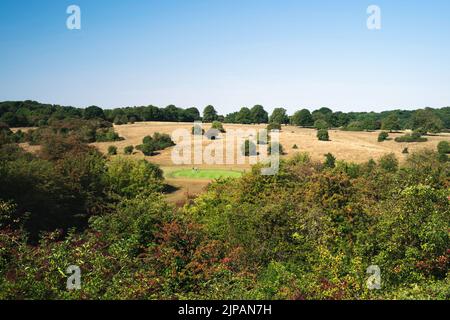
229,53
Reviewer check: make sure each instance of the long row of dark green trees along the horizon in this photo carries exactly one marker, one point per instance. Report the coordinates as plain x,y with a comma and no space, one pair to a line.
30,113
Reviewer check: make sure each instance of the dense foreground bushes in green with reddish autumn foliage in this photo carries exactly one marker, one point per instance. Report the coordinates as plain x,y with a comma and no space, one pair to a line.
308,232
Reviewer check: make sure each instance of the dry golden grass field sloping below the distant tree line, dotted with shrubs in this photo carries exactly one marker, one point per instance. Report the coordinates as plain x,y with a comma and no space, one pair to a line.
344,145
